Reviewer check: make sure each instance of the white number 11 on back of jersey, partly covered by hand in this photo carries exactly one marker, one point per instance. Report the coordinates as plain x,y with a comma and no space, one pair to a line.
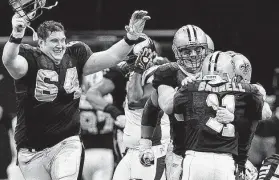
228,130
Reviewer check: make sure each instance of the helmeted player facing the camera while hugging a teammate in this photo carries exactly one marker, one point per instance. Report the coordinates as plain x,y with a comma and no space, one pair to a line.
190,48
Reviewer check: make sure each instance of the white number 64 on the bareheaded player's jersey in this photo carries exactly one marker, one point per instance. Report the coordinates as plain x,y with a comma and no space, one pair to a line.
48,92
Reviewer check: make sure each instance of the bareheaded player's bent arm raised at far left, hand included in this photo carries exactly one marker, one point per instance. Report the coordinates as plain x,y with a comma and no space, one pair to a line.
16,65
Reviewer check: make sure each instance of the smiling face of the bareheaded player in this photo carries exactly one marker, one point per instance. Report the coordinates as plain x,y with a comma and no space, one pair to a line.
55,45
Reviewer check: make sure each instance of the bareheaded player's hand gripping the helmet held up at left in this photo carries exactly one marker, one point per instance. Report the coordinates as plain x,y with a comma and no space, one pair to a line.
19,25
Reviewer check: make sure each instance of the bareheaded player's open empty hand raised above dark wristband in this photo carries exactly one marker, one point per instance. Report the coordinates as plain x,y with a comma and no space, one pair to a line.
136,25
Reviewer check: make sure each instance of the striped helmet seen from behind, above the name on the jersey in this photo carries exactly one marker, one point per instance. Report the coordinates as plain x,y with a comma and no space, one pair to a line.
218,66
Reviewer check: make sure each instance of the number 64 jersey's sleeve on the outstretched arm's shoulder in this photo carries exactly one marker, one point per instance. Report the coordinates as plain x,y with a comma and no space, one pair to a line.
79,51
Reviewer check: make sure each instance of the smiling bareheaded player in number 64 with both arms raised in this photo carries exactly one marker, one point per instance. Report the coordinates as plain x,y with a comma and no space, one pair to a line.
47,83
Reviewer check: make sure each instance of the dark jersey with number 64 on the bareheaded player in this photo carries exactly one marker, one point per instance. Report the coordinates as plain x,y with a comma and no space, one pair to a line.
48,96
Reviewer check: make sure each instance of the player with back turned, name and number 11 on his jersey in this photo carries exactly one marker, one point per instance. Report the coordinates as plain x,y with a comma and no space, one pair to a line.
211,134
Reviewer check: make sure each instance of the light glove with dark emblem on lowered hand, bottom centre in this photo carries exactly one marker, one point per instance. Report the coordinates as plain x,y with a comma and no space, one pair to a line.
146,154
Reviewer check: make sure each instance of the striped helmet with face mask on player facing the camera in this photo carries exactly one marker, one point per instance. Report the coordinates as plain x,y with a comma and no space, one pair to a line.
190,47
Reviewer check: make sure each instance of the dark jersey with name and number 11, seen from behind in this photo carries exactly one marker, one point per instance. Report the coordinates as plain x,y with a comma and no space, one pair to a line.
198,102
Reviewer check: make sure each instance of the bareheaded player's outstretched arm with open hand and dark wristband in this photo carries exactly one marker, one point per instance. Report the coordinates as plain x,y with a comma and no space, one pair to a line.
115,54
